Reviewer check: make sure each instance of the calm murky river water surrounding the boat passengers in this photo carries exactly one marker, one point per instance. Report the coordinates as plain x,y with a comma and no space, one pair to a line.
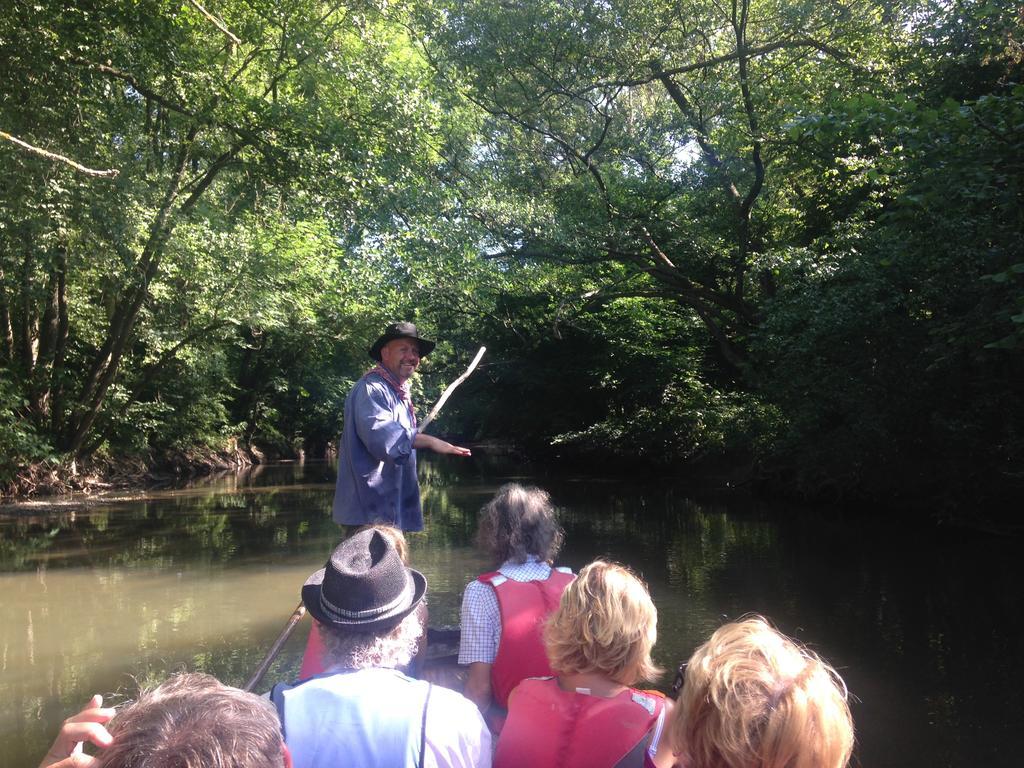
924,624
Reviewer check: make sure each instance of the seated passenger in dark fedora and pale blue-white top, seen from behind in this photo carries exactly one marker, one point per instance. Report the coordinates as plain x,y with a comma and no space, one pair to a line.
363,712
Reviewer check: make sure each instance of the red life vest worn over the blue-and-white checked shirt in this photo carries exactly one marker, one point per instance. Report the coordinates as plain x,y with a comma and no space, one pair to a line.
524,607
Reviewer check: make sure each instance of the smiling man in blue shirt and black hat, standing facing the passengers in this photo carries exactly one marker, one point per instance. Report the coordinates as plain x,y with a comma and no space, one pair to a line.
377,480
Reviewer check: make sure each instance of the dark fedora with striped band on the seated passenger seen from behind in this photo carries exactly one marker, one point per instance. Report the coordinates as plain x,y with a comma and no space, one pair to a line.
365,586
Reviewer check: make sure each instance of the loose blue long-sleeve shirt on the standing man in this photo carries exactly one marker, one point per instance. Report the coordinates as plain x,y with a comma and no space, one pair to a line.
376,461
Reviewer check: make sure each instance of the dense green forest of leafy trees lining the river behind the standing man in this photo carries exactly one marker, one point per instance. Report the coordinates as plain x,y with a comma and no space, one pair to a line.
779,236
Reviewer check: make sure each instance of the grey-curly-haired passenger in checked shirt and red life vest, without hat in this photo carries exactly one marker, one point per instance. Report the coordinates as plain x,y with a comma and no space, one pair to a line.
504,611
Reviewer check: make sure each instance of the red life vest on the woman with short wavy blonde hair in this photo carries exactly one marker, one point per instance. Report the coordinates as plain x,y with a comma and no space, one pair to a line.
548,728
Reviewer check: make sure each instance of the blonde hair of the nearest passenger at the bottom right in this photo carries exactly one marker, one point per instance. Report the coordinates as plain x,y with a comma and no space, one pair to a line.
755,699
